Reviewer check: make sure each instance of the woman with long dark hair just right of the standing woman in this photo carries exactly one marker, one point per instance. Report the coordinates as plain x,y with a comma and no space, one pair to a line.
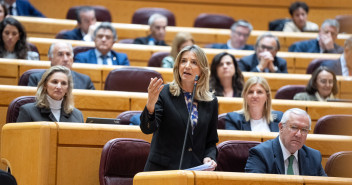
225,77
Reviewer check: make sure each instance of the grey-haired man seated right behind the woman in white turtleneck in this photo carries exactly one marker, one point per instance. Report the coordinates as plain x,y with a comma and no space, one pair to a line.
61,53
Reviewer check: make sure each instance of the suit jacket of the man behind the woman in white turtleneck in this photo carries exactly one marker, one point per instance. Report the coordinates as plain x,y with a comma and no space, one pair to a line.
80,81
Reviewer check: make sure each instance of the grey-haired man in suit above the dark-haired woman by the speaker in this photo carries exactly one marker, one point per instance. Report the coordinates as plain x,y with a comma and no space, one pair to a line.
240,32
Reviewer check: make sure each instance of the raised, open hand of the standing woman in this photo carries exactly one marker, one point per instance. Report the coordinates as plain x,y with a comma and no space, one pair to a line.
154,89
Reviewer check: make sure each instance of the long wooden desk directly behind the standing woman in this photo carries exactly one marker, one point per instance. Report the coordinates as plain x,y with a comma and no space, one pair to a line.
42,153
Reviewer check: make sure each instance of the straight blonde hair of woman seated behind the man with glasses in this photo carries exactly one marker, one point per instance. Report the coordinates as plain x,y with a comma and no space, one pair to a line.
267,106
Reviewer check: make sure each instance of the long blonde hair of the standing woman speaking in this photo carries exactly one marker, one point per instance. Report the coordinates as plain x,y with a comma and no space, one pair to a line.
202,91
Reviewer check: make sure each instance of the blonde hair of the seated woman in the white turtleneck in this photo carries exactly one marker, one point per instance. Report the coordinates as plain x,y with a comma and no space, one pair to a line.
41,99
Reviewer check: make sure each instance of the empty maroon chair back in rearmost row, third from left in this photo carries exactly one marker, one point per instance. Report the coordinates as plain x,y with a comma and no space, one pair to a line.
206,20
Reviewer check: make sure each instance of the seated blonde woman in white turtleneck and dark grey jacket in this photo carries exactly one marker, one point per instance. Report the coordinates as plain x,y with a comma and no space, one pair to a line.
54,99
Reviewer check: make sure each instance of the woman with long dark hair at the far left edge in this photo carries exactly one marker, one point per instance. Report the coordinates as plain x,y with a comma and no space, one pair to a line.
13,43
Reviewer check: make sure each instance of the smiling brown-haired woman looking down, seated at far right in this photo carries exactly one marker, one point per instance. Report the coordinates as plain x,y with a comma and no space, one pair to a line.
321,86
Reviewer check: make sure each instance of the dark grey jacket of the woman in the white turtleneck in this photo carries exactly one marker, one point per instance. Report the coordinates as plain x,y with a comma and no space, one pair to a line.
30,113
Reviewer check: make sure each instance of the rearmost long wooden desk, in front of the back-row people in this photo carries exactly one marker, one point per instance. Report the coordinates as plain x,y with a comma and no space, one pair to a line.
48,28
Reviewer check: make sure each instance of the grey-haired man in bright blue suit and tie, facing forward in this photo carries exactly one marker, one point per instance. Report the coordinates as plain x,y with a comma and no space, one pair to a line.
104,37
